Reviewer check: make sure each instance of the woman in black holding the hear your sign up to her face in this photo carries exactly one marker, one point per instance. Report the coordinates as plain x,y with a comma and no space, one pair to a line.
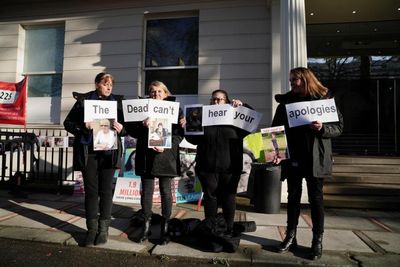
219,163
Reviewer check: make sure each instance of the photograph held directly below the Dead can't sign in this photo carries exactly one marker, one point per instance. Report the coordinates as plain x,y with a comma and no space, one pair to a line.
160,133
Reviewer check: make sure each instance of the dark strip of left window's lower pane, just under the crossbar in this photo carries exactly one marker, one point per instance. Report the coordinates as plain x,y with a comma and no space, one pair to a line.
44,85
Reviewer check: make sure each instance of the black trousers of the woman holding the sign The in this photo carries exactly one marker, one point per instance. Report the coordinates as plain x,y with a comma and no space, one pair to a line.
98,179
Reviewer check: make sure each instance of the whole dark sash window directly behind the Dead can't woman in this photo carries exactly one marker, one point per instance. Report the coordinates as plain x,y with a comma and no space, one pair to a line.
171,54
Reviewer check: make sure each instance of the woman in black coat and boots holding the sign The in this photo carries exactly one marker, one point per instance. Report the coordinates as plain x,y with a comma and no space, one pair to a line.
97,166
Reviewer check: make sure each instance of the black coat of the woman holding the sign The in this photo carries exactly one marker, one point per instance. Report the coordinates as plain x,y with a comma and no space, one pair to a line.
75,125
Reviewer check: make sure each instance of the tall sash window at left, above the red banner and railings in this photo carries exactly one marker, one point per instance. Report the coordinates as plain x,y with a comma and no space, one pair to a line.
43,64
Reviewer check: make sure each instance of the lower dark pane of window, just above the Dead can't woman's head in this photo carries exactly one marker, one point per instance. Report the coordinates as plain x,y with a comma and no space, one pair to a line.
179,82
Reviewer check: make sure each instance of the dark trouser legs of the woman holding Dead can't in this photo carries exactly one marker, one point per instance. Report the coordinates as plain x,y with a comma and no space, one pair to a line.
146,199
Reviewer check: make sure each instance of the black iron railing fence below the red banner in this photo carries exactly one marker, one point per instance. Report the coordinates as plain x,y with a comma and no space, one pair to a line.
42,157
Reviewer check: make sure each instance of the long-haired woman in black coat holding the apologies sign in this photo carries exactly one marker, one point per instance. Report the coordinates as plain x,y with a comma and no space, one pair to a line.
310,157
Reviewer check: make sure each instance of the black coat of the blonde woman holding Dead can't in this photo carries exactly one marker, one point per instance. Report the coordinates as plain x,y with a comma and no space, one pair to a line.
150,162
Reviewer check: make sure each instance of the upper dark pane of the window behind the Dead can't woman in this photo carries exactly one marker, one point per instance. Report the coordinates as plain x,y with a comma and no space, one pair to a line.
172,42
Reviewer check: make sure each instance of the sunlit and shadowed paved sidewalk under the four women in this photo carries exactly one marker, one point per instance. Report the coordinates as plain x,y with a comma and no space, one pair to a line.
352,237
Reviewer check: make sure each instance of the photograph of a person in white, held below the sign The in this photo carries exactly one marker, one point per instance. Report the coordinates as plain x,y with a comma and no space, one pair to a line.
105,137
